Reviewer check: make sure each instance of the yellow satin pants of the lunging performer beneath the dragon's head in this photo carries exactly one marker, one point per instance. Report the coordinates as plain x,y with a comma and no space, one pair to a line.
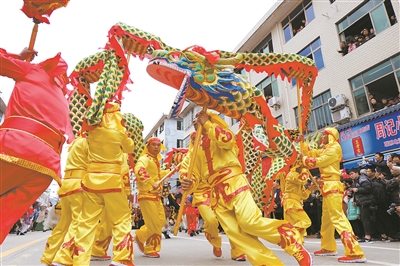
243,224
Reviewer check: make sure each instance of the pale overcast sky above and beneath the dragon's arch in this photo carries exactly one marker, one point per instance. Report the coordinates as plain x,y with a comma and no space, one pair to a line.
80,29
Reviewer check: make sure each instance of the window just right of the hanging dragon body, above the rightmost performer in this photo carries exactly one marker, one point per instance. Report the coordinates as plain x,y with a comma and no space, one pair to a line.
320,115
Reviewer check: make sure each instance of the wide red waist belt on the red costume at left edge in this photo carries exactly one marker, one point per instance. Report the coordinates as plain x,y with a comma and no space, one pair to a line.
35,129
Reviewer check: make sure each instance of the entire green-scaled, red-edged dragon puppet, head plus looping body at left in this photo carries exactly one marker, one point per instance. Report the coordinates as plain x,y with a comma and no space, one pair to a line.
207,78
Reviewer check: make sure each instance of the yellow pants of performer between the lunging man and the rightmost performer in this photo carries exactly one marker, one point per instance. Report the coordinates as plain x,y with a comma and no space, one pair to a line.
295,214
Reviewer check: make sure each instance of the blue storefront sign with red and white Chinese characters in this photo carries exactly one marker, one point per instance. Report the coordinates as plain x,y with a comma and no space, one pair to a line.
379,134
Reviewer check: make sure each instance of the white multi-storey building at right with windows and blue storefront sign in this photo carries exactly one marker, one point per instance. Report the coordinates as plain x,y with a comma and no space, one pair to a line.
341,92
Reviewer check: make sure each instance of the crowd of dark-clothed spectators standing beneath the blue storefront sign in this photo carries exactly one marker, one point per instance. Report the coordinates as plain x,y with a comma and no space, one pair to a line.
373,200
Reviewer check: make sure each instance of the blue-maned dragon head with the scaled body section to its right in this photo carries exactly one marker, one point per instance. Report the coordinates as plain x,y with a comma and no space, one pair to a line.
208,79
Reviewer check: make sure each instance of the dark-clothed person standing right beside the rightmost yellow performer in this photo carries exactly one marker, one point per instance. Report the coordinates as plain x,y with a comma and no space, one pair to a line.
362,191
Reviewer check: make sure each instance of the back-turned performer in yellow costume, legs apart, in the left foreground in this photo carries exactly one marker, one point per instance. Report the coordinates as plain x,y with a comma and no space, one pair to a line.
103,191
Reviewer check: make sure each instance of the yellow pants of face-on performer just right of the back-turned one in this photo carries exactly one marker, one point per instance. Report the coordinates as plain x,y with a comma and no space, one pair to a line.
154,220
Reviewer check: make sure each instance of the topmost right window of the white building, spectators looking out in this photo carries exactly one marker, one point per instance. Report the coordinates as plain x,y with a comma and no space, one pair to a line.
373,15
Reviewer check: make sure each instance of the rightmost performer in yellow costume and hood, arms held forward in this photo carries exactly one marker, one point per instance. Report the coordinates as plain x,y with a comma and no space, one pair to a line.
328,160
